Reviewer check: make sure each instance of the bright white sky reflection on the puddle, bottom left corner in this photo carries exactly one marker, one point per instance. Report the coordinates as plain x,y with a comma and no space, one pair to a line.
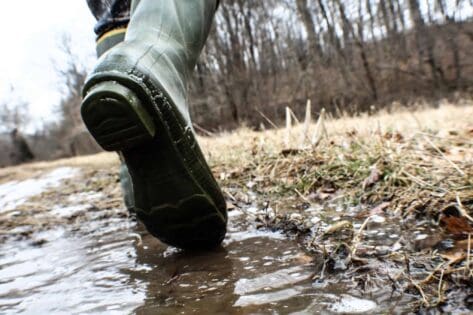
68,273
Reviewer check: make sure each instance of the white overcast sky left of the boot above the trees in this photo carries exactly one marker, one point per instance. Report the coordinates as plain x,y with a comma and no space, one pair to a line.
31,35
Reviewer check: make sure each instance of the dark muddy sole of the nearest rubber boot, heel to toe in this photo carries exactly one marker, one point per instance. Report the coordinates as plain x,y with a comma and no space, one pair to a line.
168,177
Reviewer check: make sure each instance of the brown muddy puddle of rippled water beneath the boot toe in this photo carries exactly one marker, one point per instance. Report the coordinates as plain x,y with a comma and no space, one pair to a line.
106,263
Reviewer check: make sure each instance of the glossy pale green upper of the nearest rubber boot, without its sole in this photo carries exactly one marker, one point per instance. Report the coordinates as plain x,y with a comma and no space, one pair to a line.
162,43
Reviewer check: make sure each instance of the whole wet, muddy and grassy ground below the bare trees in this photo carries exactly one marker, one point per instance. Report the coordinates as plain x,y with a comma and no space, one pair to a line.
373,220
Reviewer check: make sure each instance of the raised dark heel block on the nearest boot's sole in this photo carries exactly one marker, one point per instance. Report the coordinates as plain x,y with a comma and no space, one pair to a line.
116,118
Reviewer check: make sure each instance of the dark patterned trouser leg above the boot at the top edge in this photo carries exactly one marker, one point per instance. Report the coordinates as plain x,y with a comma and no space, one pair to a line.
110,14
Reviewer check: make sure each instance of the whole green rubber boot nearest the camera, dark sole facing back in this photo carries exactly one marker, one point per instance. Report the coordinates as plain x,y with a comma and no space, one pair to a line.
135,102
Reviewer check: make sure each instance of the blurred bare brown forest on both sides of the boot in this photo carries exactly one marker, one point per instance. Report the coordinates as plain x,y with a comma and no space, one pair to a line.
343,55
